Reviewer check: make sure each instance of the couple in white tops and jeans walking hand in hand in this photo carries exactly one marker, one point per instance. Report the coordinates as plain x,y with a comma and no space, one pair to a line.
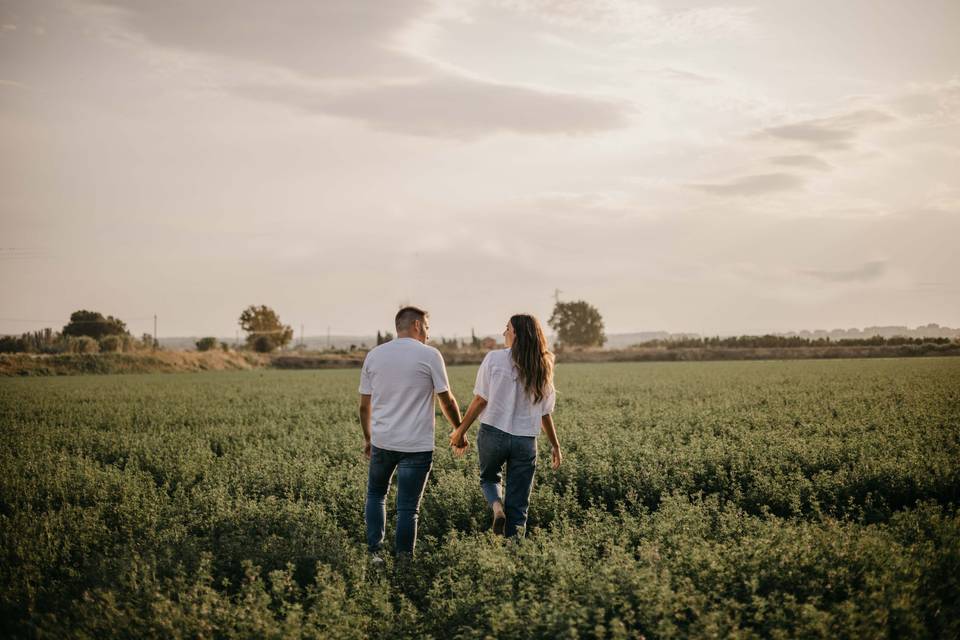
514,398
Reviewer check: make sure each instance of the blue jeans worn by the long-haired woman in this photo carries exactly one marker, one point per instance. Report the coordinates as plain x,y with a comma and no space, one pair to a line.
519,453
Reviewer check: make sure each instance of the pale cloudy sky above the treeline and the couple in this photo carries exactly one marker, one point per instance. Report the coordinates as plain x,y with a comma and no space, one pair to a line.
688,166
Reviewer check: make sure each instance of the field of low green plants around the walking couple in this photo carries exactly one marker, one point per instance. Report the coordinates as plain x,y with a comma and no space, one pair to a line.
814,499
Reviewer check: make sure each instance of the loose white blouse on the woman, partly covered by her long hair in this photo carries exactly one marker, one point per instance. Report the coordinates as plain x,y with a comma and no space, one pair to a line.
509,408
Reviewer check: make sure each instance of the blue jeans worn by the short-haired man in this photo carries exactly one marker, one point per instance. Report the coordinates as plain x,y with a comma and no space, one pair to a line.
412,469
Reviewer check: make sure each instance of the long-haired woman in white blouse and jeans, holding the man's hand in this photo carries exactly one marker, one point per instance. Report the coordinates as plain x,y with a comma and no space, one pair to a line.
514,398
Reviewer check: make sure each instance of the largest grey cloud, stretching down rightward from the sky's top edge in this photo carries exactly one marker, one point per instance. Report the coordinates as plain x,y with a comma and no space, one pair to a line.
357,40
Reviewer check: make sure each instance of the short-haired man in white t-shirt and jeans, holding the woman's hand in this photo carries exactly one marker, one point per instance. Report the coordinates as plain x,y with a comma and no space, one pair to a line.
397,387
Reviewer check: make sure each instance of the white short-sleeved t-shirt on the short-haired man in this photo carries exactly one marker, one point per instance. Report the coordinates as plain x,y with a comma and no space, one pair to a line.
401,377
